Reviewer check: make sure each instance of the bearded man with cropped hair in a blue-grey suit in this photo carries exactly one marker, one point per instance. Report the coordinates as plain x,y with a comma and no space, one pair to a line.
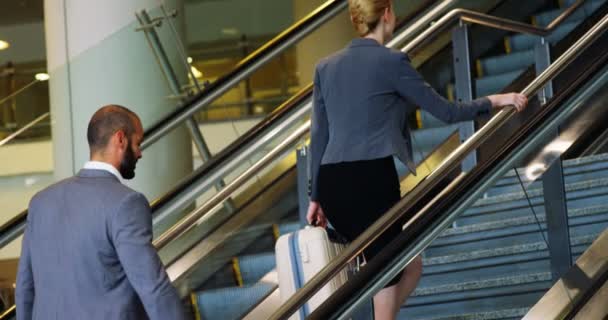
87,251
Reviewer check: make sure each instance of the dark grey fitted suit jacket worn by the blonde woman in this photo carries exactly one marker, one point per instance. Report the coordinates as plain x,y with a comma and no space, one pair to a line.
361,97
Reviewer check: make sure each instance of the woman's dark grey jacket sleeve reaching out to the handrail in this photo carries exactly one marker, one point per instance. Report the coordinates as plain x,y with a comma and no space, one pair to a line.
411,86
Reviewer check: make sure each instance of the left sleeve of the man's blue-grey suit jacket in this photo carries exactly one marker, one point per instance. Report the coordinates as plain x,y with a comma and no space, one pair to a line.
24,291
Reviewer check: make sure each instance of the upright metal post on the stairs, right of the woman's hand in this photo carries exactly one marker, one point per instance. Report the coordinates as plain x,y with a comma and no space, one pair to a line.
553,186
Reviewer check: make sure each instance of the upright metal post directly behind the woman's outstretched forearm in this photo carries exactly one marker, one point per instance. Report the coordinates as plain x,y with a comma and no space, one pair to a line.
464,90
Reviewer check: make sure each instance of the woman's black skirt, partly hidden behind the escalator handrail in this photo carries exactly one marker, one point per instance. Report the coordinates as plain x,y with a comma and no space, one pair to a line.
355,194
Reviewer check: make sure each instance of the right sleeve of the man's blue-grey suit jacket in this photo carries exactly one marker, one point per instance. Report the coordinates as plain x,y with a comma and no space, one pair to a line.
131,230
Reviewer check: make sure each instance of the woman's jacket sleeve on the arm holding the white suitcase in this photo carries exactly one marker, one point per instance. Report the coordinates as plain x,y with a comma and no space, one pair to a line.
319,135
